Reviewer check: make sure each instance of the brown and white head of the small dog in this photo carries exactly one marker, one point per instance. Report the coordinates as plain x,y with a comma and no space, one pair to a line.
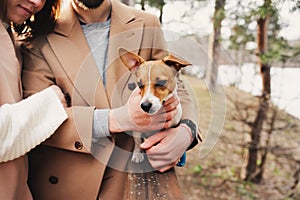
156,79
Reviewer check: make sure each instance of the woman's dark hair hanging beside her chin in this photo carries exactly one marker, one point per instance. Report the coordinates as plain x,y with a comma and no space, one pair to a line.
41,23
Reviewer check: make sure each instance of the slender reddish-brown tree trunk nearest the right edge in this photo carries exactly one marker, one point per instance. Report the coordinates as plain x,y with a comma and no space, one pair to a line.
262,42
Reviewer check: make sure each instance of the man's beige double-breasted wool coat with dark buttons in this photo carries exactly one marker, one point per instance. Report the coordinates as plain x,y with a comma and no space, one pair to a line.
68,166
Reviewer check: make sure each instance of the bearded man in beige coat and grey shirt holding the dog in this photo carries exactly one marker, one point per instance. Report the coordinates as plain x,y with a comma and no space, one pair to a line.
73,163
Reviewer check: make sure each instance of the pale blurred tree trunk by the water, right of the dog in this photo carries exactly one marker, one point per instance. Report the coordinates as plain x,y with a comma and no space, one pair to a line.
214,45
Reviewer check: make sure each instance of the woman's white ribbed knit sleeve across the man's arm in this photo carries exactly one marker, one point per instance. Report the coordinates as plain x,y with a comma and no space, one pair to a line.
26,124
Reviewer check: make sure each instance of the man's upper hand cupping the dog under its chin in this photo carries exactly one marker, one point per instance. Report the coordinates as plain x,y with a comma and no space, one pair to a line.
131,117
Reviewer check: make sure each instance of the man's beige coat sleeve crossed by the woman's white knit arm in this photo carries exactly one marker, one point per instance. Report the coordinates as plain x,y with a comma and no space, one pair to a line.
75,134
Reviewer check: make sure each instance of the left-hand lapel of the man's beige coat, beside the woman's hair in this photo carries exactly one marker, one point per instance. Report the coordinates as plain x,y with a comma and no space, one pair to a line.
77,60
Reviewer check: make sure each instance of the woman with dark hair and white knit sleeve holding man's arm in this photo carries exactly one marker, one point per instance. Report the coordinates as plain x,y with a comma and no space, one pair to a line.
25,124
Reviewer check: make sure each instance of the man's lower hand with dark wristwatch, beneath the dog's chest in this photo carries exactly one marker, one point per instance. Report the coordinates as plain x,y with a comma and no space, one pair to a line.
165,148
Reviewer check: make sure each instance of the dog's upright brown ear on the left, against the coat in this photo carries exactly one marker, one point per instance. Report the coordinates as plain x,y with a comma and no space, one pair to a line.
131,60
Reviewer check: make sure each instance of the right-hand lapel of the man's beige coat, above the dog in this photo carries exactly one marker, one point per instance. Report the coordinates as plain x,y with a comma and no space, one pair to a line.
126,31
